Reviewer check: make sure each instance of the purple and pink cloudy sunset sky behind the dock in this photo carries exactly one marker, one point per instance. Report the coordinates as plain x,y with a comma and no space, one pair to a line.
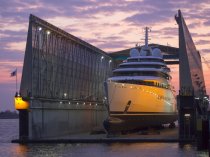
110,25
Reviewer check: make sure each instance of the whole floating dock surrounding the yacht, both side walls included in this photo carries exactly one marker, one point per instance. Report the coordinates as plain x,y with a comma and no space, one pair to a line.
63,78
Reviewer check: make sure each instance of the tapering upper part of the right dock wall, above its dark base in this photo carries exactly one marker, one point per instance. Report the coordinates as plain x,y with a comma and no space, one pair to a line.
190,65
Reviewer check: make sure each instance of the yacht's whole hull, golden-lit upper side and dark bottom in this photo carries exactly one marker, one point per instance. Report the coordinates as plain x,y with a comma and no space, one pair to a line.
134,106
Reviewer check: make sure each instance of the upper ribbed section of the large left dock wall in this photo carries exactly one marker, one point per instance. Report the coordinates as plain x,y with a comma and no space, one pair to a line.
58,65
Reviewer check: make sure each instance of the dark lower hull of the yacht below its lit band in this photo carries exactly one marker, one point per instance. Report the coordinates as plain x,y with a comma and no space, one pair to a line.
126,122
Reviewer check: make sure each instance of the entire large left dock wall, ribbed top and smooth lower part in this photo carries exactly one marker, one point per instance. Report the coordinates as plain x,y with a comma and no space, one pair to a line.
62,80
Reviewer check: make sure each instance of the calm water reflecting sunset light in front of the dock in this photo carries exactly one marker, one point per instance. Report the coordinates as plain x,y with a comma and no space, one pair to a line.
9,131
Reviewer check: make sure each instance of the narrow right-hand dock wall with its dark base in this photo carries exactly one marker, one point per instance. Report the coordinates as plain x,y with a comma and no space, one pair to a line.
192,99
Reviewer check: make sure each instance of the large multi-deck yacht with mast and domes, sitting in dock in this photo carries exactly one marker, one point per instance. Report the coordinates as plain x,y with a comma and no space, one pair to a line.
139,94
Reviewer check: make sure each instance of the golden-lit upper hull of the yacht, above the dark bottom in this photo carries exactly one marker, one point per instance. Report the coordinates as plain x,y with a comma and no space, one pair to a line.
143,99
